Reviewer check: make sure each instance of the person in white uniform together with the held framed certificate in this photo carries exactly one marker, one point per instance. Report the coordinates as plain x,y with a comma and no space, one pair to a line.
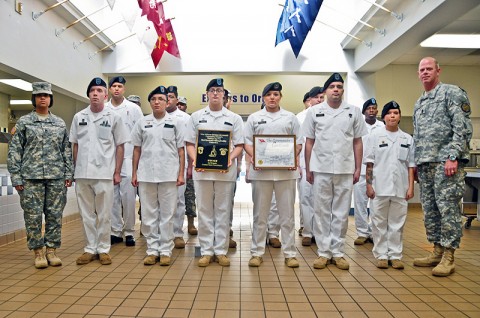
272,139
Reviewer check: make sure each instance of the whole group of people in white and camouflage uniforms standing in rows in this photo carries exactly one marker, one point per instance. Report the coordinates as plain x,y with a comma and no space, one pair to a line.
338,146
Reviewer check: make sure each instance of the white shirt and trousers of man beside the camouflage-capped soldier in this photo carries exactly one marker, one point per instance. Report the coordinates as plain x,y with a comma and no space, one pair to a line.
97,136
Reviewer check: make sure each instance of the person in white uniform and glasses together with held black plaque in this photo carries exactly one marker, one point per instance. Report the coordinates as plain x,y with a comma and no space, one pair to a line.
215,170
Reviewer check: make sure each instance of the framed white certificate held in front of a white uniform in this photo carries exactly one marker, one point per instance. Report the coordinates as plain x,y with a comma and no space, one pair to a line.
274,151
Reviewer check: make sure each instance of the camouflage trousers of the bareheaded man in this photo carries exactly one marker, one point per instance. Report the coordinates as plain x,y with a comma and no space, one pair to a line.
441,202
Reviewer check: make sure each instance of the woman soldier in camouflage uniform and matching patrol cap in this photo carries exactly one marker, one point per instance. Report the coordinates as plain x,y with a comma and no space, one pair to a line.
41,168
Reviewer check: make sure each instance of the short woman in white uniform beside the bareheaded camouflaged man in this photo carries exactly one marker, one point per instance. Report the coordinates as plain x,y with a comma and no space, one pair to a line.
389,155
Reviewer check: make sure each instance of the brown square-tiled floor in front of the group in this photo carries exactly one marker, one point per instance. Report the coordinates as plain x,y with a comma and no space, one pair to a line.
127,288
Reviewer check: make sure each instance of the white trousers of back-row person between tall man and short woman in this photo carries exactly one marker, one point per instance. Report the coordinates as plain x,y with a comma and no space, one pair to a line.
360,208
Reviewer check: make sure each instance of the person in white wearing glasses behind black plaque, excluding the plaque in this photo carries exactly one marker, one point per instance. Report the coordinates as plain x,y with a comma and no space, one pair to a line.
214,190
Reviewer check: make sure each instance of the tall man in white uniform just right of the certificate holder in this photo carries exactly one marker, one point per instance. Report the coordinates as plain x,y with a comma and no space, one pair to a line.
333,158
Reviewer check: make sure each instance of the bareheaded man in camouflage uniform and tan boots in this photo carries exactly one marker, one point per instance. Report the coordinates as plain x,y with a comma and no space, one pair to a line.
442,131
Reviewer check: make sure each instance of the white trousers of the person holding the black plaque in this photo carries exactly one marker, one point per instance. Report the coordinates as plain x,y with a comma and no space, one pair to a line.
214,201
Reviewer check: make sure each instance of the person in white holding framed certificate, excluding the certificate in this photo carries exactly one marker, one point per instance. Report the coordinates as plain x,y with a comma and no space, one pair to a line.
273,120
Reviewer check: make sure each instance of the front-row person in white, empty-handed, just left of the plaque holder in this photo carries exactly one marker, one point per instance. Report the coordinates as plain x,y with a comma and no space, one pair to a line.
158,169
